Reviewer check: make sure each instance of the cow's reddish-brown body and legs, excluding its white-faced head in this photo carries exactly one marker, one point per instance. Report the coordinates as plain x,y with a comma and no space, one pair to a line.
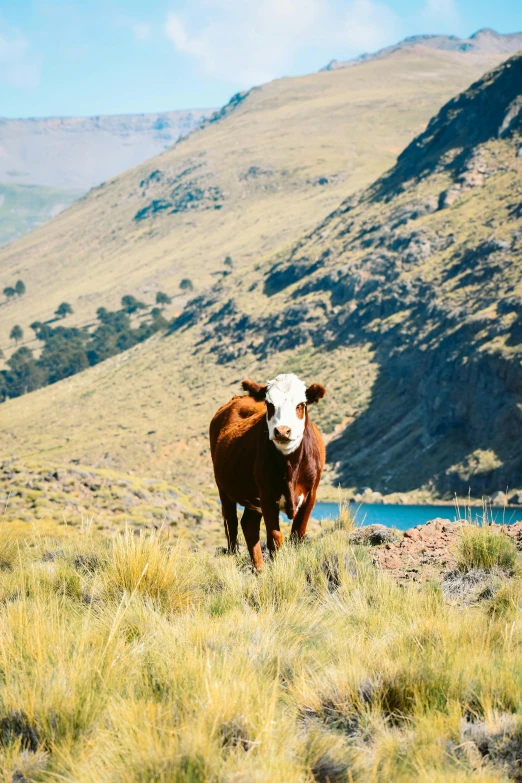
252,472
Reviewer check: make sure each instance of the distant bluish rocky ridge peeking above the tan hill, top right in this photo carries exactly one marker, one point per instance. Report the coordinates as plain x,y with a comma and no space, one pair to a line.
485,41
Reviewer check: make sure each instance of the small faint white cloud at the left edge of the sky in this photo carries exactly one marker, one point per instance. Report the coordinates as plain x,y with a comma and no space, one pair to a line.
19,65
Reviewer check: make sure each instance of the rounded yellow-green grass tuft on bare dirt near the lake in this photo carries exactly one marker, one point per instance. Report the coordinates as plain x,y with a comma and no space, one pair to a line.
484,547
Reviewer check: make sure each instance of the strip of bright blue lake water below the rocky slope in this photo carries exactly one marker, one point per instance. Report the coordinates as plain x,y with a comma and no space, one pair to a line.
405,517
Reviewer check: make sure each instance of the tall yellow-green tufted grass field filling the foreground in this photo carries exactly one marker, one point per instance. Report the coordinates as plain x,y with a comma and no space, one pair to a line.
137,659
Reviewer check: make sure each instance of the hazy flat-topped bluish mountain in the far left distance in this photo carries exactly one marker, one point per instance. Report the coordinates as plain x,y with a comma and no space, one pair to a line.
47,163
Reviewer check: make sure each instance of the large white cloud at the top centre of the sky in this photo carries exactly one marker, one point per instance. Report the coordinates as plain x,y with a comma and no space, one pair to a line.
248,42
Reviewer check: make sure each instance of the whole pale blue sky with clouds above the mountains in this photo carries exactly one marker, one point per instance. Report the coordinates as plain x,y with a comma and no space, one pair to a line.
88,57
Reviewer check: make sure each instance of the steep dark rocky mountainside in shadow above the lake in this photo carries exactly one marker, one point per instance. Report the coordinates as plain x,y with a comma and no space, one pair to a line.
425,267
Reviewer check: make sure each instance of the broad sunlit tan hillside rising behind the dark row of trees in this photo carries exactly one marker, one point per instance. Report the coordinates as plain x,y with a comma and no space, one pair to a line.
278,161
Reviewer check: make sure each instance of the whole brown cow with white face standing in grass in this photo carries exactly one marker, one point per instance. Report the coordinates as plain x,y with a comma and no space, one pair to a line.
268,457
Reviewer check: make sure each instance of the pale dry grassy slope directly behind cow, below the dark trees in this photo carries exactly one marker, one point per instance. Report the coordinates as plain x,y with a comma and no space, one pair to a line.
149,408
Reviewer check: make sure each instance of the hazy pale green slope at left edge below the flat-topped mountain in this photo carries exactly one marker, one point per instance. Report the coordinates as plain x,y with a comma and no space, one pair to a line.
24,207
